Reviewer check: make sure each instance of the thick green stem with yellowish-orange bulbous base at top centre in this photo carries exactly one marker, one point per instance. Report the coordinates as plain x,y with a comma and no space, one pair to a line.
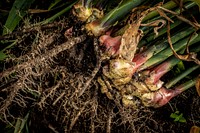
99,26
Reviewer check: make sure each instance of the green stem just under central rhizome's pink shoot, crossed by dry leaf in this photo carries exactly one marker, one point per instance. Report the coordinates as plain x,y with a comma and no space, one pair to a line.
161,56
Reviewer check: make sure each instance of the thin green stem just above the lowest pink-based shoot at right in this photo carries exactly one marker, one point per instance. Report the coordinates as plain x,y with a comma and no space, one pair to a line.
181,76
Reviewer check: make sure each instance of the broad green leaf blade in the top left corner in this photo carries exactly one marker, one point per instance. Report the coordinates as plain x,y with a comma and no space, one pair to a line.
18,11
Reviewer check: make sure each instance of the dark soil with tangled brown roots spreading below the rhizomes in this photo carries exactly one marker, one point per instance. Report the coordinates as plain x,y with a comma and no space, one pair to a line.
52,77
